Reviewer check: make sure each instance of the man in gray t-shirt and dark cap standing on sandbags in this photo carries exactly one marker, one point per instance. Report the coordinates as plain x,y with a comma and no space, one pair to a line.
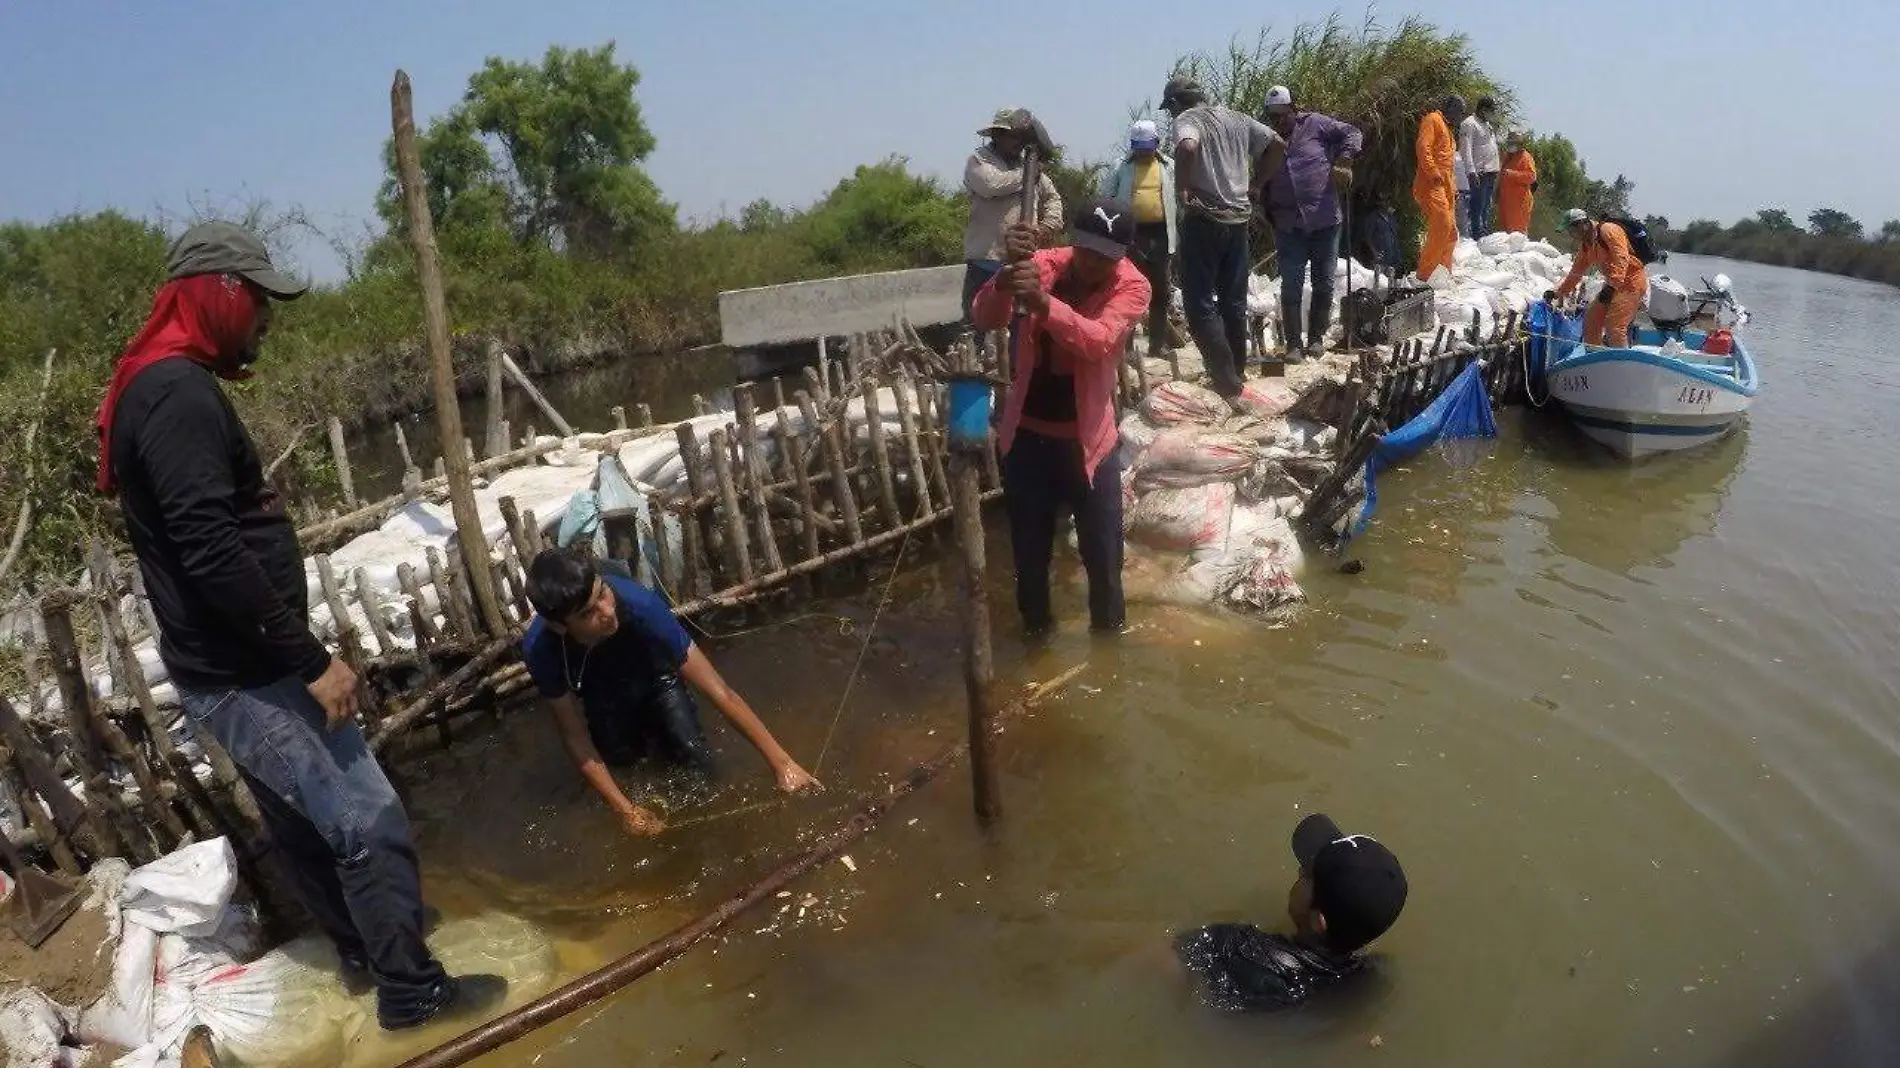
1221,159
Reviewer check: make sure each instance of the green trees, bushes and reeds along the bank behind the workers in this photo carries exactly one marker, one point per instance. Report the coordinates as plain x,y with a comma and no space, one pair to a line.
558,242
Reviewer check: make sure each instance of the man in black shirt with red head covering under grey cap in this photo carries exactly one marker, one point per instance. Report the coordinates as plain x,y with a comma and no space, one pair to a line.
227,581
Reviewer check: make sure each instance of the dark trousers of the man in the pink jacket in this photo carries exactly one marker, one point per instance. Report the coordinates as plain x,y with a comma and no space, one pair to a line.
1042,476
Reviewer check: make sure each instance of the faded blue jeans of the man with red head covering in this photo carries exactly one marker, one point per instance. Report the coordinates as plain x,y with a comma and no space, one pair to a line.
337,828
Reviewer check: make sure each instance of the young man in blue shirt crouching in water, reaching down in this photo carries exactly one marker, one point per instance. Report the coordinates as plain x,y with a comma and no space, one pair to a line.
613,664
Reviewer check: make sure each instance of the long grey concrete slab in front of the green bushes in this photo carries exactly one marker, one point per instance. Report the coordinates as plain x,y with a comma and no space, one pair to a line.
835,307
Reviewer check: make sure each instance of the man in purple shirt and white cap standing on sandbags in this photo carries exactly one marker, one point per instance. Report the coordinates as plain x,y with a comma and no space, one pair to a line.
1304,206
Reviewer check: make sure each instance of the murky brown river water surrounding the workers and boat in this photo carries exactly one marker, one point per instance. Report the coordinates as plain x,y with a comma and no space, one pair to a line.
1635,734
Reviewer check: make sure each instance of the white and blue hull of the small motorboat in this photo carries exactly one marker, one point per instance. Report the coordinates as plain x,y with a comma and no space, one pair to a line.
1639,404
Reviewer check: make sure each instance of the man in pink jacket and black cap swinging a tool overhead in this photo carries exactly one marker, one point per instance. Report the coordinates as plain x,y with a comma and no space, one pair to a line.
1059,436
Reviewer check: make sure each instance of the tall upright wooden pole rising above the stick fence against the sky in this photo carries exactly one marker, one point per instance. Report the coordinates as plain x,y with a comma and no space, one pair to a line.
436,318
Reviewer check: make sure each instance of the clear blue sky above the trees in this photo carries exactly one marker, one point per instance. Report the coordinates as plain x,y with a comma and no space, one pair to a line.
1713,109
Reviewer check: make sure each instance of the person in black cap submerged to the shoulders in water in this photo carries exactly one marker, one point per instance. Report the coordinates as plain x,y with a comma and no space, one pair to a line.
1350,892
